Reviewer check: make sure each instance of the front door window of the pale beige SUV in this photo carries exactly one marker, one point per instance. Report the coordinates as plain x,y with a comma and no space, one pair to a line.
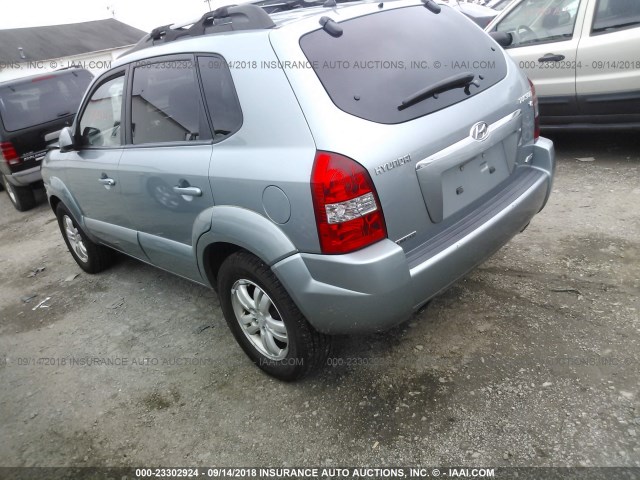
540,21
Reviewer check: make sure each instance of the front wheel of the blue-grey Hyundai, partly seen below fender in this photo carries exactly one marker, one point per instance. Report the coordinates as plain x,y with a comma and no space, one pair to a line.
90,256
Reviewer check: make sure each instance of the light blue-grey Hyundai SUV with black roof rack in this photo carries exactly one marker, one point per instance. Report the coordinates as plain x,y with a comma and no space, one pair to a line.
255,154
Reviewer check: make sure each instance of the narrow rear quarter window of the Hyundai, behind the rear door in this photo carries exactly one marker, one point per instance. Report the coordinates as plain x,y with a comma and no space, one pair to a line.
220,96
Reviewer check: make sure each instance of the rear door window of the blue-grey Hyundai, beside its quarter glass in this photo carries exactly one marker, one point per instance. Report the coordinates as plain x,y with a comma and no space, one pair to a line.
166,105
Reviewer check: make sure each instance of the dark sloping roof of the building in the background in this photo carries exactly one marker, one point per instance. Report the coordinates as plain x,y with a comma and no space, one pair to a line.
57,41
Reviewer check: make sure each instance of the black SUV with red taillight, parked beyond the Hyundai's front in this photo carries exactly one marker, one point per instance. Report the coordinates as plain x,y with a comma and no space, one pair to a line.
30,108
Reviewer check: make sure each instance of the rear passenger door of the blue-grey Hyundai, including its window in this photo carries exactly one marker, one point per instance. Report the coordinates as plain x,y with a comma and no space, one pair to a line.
164,170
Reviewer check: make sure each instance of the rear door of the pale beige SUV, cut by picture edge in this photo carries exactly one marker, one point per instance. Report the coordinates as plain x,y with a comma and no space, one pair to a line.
608,78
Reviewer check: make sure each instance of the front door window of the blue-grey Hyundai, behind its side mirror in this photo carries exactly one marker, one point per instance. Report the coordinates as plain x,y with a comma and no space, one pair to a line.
100,121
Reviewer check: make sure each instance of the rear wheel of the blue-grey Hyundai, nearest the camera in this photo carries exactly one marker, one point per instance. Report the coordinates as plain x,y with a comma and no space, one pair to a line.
265,322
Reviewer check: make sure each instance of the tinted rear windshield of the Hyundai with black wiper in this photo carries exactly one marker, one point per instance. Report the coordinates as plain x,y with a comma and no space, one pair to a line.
388,57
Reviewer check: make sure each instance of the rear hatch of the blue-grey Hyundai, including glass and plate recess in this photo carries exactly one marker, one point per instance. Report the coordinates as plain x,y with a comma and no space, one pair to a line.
427,102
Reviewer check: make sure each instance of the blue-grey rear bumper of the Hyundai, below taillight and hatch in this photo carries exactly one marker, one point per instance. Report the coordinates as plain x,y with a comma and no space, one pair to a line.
380,286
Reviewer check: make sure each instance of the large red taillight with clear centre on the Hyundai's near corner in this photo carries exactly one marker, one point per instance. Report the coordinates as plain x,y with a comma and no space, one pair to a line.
348,213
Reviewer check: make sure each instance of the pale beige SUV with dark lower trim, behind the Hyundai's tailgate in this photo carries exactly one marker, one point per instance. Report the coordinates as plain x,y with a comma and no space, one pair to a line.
583,57
